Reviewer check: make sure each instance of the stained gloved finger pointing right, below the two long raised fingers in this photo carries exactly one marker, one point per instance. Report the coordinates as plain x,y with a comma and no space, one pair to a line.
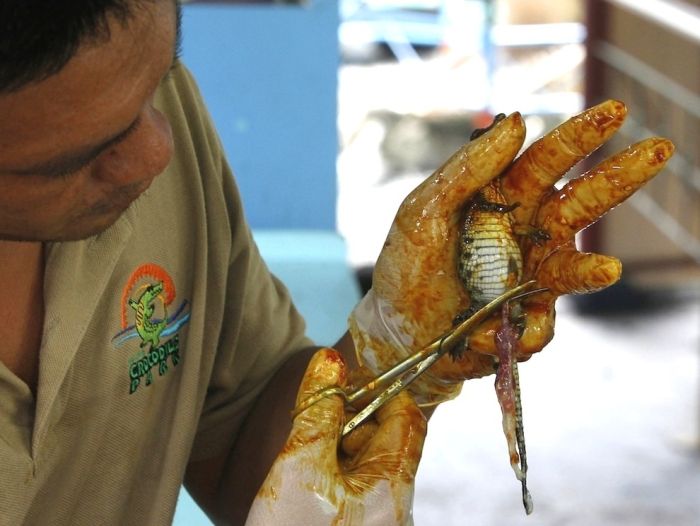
568,271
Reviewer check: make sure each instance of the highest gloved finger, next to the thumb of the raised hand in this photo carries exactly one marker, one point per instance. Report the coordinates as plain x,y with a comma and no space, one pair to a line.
548,159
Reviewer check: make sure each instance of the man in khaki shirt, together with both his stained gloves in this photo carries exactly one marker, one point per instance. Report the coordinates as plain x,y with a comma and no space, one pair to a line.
144,341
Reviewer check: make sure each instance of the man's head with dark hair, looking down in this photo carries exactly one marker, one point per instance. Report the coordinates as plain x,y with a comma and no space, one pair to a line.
79,136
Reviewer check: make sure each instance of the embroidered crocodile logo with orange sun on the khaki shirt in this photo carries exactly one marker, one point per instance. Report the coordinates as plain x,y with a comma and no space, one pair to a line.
146,301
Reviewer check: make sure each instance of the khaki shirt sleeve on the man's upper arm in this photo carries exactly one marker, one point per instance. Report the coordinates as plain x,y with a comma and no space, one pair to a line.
267,330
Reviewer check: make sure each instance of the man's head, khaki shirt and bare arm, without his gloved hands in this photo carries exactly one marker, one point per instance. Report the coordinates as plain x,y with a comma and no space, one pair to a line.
139,327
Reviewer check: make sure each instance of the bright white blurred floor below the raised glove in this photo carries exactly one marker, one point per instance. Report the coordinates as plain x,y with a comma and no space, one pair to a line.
611,419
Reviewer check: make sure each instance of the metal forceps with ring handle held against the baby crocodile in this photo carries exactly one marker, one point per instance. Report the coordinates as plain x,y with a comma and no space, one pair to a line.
405,372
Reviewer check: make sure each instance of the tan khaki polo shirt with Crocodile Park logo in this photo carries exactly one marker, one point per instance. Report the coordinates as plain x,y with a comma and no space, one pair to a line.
158,335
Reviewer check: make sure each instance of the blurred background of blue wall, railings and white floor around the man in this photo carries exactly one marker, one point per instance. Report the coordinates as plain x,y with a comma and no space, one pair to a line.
331,111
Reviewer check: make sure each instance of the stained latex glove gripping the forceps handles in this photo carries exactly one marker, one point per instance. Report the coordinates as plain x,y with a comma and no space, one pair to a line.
313,482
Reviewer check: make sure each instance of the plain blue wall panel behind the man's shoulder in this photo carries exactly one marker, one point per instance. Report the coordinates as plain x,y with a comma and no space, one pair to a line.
269,76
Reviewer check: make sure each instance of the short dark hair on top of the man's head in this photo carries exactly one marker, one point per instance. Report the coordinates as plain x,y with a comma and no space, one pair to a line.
38,37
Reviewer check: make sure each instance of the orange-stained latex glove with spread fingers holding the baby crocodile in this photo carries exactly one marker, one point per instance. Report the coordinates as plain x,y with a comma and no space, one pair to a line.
416,292
